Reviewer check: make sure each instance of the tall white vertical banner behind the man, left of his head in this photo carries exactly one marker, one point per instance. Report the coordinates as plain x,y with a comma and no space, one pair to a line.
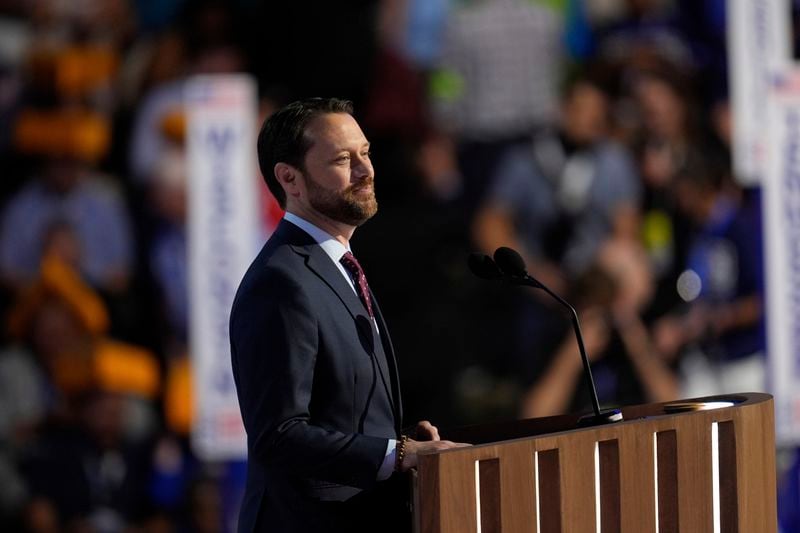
224,235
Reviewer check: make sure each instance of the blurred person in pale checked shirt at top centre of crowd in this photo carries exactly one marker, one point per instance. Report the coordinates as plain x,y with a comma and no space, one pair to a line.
495,83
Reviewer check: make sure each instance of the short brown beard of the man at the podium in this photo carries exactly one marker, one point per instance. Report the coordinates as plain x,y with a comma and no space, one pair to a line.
347,206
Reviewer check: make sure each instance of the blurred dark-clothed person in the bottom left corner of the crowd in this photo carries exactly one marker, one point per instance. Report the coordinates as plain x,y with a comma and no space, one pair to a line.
88,477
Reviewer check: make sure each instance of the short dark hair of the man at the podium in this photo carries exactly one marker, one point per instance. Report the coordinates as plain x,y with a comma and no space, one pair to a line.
283,137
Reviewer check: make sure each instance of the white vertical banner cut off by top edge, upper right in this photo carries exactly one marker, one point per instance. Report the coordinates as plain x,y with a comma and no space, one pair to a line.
759,41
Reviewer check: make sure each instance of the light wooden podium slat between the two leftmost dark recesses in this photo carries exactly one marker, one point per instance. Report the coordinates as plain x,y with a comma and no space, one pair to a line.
518,489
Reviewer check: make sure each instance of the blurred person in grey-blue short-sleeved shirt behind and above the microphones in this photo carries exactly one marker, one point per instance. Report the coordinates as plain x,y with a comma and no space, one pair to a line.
557,199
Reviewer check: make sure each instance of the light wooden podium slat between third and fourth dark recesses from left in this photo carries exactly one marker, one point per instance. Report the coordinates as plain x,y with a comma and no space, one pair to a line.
637,482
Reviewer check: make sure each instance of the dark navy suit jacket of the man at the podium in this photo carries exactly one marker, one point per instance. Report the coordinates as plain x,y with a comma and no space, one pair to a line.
318,391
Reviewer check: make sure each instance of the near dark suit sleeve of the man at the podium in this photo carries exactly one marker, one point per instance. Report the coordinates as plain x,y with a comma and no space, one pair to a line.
274,345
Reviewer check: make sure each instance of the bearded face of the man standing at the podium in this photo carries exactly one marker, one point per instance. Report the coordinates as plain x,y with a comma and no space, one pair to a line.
339,178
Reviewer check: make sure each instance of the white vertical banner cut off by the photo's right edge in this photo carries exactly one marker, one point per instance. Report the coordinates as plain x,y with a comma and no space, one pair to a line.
781,194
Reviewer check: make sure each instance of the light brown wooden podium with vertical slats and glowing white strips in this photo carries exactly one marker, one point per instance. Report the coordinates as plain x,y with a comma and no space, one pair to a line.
664,469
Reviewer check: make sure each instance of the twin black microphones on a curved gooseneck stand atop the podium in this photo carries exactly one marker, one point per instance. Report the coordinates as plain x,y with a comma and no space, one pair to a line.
509,266
